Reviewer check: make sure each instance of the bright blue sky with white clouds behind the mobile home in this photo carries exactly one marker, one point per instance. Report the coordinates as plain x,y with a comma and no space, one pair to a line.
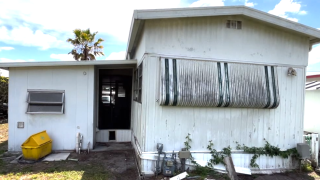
36,30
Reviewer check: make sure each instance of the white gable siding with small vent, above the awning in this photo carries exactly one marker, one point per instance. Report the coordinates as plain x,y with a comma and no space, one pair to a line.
208,37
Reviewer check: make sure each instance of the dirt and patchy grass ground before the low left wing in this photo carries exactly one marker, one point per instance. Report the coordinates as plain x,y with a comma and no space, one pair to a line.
111,164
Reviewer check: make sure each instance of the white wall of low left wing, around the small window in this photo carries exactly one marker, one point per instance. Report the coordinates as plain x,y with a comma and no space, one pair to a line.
62,128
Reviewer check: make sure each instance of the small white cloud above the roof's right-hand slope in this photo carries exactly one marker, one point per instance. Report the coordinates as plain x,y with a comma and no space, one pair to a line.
287,6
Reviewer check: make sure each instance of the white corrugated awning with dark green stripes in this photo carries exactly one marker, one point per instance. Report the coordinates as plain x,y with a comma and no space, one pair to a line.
218,84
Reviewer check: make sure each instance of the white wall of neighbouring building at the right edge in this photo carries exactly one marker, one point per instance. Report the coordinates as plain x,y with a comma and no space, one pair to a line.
312,106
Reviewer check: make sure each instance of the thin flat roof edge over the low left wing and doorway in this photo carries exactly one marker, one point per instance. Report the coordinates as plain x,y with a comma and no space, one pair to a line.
113,63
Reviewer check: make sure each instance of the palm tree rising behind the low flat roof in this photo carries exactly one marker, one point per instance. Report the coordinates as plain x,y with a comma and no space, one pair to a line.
84,46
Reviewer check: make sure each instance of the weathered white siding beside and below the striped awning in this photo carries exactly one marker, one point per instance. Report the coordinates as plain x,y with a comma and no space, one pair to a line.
282,127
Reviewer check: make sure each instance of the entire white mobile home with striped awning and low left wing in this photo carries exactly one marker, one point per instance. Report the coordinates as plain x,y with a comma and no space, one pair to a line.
226,74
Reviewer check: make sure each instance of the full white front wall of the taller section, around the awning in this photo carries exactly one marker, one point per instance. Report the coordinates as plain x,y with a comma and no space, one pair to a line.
208,39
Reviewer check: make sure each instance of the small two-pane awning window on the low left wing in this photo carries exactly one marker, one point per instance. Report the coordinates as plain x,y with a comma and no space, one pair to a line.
45,101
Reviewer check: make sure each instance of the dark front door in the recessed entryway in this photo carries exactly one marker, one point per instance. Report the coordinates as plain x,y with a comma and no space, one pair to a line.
115,101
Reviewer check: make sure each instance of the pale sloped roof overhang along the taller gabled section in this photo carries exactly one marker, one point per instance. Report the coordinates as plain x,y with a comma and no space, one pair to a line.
139,16
